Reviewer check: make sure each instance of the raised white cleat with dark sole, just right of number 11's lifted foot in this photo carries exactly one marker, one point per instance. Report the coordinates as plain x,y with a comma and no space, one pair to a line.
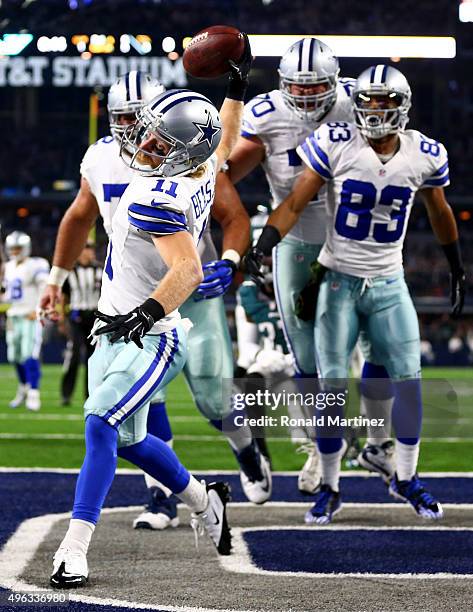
255,474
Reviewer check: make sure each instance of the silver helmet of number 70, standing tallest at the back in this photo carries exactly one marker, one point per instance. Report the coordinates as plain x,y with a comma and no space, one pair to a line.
309,62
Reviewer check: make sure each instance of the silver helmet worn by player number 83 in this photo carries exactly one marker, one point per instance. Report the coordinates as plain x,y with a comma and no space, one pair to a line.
381,81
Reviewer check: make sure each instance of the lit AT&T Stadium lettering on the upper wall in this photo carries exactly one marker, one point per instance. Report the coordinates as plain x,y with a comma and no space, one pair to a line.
63,71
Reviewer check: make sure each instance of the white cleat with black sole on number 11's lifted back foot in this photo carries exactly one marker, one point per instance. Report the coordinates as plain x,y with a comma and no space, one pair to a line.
213,519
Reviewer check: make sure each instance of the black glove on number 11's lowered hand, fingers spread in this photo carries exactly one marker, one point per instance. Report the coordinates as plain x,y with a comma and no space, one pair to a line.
133,325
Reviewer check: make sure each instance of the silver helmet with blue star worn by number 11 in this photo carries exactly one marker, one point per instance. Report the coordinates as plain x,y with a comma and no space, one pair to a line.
173,134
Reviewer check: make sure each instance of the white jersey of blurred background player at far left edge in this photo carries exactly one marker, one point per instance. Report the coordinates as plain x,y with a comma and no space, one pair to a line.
24,283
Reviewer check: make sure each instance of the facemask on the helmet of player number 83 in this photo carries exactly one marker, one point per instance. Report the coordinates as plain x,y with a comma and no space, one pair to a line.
376,123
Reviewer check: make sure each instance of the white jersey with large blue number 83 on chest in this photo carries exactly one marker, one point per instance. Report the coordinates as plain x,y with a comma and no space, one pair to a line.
369,202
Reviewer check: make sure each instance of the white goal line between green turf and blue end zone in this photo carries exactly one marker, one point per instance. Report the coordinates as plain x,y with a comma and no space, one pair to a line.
137,472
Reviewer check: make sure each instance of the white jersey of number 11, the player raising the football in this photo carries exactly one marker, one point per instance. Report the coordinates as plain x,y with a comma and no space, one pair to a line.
149,206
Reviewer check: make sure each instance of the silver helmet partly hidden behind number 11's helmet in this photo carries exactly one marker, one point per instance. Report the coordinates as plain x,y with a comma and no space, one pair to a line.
127,95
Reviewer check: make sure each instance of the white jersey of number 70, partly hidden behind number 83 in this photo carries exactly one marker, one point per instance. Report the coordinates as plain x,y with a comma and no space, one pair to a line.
281,131
